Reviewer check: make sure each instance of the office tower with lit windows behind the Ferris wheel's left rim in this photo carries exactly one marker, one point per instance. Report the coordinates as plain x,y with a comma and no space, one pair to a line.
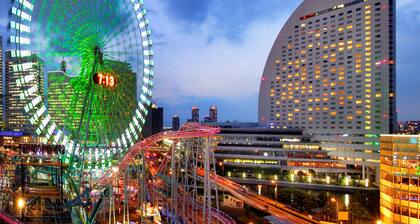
31,70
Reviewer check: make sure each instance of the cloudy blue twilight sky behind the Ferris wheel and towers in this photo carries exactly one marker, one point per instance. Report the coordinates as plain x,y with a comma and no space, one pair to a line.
212,52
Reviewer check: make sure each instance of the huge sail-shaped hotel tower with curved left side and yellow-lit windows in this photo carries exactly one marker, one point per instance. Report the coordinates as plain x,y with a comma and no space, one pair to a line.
331,72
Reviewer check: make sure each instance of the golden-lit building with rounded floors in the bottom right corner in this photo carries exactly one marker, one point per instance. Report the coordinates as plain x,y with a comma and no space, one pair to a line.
399,185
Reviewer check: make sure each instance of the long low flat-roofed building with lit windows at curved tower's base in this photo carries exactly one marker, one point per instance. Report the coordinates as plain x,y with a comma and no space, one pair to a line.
263,154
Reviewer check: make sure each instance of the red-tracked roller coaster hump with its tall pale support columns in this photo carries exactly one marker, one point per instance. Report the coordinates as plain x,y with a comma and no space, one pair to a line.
163,169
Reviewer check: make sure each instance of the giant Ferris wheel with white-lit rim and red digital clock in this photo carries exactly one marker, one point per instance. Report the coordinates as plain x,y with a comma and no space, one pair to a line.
96,60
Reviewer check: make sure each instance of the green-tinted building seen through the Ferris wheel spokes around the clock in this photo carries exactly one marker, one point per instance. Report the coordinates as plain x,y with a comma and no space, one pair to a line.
65,101
